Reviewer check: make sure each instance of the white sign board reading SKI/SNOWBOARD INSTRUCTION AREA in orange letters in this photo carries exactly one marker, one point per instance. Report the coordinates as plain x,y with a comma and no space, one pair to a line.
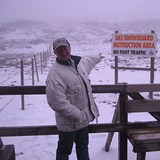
140,45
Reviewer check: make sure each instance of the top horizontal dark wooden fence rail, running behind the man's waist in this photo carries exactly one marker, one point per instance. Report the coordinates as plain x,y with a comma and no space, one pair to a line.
117,88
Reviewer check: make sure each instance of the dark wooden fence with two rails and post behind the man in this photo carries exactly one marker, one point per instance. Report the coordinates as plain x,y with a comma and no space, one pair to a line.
120,127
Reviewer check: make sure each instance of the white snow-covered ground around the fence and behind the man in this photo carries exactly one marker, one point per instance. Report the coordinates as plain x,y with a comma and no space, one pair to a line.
37,111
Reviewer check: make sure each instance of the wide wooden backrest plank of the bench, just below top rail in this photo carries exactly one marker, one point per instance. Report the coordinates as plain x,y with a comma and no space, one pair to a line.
143,106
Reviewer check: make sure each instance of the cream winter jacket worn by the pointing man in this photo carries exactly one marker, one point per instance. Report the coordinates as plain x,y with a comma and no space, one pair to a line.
69,92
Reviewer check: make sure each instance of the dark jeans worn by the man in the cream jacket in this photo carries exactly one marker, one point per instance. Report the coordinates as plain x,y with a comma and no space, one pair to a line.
65,144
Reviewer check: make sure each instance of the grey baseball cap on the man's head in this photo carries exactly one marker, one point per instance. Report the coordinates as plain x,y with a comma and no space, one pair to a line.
60,42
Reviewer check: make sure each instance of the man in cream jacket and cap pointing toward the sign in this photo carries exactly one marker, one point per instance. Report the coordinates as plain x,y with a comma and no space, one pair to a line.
69,94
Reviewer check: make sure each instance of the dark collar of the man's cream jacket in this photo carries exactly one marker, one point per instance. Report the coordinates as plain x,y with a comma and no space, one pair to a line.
76,59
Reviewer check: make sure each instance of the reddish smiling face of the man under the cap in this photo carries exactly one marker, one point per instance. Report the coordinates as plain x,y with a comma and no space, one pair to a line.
63,53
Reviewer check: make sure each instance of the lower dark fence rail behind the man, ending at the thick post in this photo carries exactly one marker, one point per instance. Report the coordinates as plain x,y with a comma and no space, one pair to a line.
52,129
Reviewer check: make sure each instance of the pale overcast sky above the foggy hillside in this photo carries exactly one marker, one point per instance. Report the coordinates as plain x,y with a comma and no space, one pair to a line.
103,10
